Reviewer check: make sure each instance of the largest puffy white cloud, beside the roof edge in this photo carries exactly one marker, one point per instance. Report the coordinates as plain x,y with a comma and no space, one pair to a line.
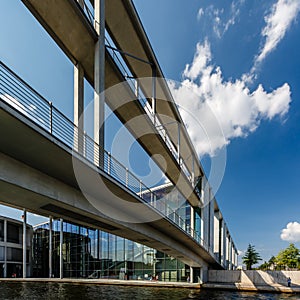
216,111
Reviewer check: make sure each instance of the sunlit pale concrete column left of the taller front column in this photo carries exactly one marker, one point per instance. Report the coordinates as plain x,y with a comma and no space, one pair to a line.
78,107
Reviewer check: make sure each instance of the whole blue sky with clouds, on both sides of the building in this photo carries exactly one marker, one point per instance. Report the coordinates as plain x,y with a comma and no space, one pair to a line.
242,58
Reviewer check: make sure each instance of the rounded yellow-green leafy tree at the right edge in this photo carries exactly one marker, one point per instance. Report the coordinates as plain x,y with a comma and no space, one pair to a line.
288,258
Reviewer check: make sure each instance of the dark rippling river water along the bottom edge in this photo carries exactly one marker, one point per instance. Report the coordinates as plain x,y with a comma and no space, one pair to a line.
31,291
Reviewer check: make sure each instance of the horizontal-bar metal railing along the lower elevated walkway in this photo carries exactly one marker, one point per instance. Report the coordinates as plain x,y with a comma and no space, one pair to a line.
23,98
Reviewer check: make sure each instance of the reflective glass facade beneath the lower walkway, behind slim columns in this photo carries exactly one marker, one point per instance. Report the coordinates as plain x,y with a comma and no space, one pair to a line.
92,253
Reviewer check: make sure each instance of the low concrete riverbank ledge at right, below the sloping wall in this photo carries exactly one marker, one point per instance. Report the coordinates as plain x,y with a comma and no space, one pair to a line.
270,288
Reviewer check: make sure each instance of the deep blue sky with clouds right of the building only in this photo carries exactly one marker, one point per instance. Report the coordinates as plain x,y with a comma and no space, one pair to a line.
248,44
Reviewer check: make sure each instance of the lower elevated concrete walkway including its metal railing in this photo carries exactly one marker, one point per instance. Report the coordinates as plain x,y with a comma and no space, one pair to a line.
37,174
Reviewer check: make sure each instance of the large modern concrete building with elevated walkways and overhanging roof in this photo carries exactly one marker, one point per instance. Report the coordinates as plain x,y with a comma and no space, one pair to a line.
51,167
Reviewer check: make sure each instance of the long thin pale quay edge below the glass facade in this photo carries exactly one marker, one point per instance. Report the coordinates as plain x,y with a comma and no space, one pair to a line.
141,283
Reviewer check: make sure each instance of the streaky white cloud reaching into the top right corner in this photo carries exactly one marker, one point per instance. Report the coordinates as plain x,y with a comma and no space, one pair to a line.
282,14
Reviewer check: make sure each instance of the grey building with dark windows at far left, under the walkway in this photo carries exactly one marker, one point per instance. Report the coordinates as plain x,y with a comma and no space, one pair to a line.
11,248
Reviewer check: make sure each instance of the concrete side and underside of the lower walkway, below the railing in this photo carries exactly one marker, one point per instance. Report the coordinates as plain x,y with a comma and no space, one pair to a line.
37,174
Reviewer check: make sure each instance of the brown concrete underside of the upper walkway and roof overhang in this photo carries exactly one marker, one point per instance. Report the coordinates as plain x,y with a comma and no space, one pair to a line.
66,23
